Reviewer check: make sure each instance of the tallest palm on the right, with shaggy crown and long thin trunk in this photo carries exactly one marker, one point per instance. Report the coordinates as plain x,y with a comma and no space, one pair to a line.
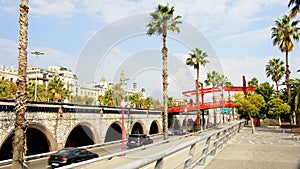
283,34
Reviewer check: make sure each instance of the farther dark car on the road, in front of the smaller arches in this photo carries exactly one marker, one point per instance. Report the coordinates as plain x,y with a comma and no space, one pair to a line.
137,140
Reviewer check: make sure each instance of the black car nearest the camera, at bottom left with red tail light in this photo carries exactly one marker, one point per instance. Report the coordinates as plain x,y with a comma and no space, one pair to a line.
70,155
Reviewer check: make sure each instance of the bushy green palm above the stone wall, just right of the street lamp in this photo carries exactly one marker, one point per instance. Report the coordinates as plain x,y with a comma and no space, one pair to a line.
55,88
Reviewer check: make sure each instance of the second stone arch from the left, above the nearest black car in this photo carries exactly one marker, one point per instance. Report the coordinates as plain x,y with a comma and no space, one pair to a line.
81,134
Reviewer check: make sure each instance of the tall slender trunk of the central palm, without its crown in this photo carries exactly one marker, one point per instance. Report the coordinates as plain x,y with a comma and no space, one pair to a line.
165,82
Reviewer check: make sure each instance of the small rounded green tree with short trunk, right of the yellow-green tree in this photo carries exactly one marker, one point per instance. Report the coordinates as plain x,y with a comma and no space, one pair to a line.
277,107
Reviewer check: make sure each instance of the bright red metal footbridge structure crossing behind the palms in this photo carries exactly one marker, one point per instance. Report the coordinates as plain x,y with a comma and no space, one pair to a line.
211,105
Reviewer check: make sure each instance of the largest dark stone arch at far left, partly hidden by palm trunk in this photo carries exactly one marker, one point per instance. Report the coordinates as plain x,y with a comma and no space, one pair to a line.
36,132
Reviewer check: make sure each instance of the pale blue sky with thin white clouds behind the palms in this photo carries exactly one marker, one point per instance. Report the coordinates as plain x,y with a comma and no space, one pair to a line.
100,38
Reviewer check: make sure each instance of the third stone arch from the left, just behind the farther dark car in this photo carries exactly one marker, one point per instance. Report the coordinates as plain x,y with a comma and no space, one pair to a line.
114,132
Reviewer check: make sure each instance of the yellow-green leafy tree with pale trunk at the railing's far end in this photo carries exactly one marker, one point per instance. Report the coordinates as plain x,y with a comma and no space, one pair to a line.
249,107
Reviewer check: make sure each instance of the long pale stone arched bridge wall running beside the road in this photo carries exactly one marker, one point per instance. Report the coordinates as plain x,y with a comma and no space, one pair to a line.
53,126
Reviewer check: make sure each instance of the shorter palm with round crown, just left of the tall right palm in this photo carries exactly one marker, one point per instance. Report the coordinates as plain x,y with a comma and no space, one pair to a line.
276,70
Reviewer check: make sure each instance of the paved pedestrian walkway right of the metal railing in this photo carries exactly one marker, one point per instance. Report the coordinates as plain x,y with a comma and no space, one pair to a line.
269,148
